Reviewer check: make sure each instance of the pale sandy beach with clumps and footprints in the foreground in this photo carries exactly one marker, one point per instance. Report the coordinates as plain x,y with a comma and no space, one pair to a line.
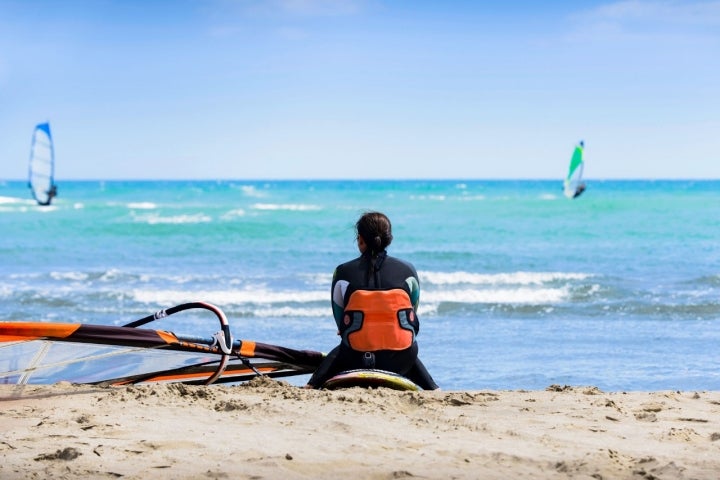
268,429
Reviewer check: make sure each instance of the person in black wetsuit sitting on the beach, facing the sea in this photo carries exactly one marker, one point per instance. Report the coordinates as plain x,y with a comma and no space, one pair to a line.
374,301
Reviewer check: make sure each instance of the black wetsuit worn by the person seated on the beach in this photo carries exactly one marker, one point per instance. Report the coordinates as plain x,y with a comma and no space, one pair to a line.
360,274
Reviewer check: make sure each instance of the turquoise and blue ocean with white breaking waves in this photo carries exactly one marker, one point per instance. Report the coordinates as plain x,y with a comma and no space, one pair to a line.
521,287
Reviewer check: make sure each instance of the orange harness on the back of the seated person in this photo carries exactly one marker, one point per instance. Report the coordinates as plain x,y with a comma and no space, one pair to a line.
379,320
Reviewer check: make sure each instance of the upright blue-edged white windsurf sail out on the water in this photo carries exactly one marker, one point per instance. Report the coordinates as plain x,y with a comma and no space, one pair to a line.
42,165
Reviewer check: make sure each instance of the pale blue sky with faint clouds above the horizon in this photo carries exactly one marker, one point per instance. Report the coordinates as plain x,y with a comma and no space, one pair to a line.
362,89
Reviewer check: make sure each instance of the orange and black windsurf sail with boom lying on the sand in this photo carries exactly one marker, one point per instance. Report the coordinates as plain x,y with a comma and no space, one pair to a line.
42,352
